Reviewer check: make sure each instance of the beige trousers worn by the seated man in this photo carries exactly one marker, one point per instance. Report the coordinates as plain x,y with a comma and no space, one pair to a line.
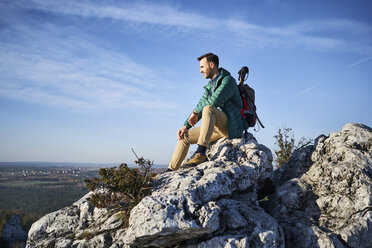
213,127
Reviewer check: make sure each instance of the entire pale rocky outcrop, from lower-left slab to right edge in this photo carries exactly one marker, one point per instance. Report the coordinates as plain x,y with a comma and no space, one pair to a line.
322,199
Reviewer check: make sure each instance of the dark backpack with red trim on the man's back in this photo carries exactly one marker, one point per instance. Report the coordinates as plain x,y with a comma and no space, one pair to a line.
248,97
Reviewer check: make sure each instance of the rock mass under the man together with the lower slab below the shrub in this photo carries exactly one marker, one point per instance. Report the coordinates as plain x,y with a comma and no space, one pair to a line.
212,205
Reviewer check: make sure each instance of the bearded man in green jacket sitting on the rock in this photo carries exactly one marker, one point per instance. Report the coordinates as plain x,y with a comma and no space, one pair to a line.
219,109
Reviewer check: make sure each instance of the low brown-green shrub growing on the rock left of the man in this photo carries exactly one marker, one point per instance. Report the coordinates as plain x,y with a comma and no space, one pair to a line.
121,188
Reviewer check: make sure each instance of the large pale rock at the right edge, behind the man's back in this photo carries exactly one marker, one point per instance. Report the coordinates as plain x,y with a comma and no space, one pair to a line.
324,195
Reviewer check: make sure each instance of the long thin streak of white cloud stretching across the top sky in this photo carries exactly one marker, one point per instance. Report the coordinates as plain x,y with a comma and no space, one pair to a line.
321,35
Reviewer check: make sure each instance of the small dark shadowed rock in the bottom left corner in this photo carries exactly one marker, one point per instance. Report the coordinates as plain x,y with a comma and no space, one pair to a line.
13,233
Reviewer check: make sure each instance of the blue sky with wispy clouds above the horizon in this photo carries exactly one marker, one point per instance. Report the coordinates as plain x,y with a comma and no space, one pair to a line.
86,81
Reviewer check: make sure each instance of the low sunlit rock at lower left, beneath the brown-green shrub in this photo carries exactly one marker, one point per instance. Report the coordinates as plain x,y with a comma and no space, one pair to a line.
80,225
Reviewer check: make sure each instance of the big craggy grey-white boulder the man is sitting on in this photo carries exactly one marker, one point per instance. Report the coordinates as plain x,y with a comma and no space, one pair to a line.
215,202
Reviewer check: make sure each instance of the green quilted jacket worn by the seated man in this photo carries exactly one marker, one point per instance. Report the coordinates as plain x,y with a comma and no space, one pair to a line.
228,99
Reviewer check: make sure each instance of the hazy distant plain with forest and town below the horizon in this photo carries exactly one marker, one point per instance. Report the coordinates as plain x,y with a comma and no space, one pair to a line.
33,189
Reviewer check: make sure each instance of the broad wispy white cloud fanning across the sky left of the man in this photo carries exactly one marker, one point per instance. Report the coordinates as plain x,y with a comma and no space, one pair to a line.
71,71
